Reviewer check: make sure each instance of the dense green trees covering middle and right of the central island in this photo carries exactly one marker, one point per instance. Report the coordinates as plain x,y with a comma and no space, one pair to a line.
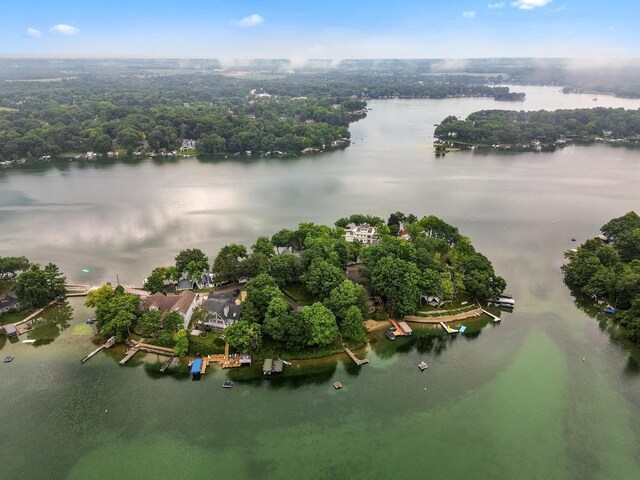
334,280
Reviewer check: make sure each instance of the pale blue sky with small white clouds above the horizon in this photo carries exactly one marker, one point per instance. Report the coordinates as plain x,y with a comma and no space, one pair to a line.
301,29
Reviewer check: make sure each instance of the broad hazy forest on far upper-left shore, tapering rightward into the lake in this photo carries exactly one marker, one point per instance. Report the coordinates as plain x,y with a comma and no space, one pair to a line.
127,108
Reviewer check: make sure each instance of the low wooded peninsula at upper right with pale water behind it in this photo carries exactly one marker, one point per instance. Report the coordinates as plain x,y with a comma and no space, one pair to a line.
502,127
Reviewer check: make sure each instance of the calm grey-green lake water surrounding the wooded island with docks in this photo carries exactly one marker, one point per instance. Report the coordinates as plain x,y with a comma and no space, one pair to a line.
548,393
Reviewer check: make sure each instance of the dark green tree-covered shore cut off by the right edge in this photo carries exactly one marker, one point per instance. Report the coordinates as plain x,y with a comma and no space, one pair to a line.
607,269
